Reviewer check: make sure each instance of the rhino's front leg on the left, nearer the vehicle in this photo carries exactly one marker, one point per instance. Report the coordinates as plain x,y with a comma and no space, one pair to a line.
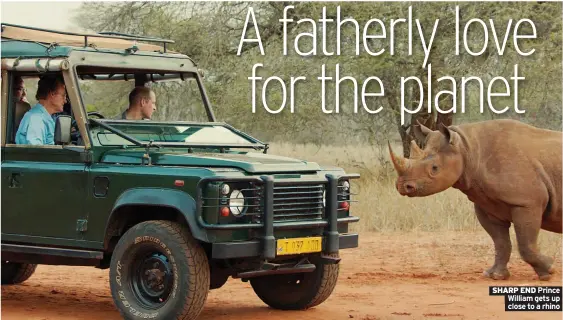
498,230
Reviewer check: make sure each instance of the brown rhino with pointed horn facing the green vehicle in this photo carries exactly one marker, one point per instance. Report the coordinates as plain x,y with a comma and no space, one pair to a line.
510,170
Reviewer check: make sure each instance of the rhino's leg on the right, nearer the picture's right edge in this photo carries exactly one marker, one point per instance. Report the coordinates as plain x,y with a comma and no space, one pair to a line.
527,224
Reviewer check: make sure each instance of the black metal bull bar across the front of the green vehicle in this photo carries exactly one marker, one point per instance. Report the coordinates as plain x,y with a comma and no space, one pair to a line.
268,241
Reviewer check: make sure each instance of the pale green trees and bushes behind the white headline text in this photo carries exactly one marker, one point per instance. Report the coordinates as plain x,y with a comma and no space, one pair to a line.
210,34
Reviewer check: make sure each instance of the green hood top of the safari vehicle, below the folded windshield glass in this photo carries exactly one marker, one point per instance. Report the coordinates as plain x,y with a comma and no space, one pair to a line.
252,162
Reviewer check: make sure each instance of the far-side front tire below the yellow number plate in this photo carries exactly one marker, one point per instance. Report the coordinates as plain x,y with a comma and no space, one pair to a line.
297,291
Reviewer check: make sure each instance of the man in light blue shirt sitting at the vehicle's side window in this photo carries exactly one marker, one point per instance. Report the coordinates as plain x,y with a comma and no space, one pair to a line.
37,126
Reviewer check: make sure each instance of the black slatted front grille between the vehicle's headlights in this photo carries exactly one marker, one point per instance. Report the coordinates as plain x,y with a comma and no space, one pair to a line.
298,202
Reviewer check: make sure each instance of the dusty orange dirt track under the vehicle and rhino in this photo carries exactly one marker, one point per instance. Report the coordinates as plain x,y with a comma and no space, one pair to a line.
408,276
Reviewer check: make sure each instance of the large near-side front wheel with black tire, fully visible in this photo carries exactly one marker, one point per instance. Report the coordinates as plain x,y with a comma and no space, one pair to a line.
179,253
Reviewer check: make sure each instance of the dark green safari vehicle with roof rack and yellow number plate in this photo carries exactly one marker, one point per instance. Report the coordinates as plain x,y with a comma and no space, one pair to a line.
172,208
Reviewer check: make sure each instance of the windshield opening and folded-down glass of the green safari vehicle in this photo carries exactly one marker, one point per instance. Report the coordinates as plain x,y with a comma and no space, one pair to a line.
179,116
